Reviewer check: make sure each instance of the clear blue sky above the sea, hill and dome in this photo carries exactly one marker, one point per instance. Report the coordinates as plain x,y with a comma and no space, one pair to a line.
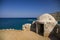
27,8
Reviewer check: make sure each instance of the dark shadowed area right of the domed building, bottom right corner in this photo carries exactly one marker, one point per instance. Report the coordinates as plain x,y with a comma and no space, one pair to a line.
54,35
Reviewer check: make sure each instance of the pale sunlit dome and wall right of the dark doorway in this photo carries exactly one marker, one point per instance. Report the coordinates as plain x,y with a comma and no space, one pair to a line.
49,23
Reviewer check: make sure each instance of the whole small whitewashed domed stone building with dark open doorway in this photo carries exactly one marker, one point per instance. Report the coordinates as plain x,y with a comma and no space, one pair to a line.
44,24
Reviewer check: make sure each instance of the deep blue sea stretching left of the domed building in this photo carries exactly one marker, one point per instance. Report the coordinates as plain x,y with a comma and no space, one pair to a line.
14,23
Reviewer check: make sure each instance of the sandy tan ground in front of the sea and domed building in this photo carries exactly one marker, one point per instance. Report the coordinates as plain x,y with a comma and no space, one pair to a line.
21,35
